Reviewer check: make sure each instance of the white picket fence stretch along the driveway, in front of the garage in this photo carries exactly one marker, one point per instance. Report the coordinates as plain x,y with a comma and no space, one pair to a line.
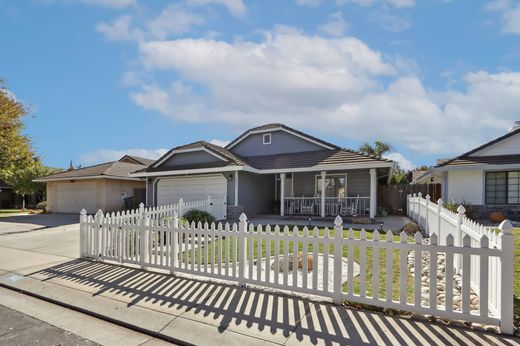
214,206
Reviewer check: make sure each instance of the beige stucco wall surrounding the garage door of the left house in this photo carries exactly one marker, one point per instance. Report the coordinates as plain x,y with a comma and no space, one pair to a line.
108,193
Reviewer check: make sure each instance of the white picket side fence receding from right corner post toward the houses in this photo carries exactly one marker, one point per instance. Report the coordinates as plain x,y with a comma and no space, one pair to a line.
489,279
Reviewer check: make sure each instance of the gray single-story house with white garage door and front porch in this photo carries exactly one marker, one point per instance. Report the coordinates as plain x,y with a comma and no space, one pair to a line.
270,169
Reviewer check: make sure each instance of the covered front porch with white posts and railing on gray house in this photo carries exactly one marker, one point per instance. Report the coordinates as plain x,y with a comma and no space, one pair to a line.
327,193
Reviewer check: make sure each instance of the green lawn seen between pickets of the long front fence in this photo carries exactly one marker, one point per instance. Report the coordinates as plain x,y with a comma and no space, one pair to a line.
381,275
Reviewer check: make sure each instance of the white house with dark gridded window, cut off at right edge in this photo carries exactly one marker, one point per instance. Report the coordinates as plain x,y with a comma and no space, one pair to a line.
487,177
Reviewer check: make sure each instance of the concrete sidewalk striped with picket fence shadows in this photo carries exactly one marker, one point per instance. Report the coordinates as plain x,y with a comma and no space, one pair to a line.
203,313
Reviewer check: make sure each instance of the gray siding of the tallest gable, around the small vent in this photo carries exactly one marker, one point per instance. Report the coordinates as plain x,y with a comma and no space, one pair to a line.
281,142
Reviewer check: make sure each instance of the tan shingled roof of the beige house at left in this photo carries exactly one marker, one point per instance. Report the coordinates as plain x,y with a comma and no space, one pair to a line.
120,169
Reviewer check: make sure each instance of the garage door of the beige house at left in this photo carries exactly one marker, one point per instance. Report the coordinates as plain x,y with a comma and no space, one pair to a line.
72,197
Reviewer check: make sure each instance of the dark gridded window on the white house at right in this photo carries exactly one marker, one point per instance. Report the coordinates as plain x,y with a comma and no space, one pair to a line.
503,187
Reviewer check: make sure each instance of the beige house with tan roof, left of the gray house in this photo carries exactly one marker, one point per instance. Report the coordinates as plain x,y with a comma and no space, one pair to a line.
102,186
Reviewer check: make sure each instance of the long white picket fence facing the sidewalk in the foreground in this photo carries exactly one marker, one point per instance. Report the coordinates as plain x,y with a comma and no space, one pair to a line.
237,253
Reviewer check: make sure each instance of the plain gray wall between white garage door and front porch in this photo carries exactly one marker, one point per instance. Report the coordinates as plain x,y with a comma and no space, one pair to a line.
256,193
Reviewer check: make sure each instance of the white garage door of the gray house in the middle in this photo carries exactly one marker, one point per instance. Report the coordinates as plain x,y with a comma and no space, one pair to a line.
196,188
